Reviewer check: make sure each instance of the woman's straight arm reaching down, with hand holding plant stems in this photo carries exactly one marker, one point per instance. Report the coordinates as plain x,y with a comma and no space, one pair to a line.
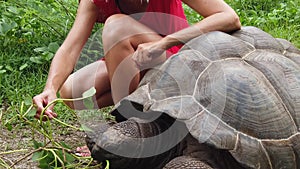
67,55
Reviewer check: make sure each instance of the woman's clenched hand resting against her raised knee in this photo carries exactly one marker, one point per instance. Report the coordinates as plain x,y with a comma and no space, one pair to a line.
149,54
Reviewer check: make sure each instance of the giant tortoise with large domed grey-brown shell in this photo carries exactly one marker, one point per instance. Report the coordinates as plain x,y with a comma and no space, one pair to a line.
224,101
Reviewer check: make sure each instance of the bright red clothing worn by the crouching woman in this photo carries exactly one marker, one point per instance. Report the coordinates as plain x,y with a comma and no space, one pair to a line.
163,16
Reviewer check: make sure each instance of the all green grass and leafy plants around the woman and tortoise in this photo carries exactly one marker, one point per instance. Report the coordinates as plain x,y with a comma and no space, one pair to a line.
31,32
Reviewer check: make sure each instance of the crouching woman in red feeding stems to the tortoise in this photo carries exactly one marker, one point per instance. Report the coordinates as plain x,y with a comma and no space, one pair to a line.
130,43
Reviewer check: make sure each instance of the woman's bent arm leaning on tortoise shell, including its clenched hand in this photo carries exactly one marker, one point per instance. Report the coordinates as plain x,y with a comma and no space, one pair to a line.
218,16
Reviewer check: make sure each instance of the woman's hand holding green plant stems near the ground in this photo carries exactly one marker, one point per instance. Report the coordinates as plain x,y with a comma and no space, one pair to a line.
41,101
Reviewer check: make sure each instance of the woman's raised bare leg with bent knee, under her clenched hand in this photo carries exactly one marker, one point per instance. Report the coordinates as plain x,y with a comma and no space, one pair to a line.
121,37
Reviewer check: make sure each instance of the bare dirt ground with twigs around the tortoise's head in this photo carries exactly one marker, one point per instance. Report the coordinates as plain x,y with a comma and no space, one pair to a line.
17,146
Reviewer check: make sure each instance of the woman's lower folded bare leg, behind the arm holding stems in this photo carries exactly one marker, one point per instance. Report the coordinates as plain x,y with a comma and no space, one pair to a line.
92,75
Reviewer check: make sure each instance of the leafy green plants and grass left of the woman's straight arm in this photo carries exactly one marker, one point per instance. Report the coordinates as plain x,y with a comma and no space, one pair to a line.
30,32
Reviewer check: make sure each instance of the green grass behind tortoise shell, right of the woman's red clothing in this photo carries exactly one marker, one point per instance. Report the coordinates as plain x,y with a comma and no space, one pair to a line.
280,18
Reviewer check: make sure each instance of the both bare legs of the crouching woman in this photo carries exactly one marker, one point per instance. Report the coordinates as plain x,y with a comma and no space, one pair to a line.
121,36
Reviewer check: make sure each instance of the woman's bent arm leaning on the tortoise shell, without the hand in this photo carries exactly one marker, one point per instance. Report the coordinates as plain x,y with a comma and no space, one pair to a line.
218,16
